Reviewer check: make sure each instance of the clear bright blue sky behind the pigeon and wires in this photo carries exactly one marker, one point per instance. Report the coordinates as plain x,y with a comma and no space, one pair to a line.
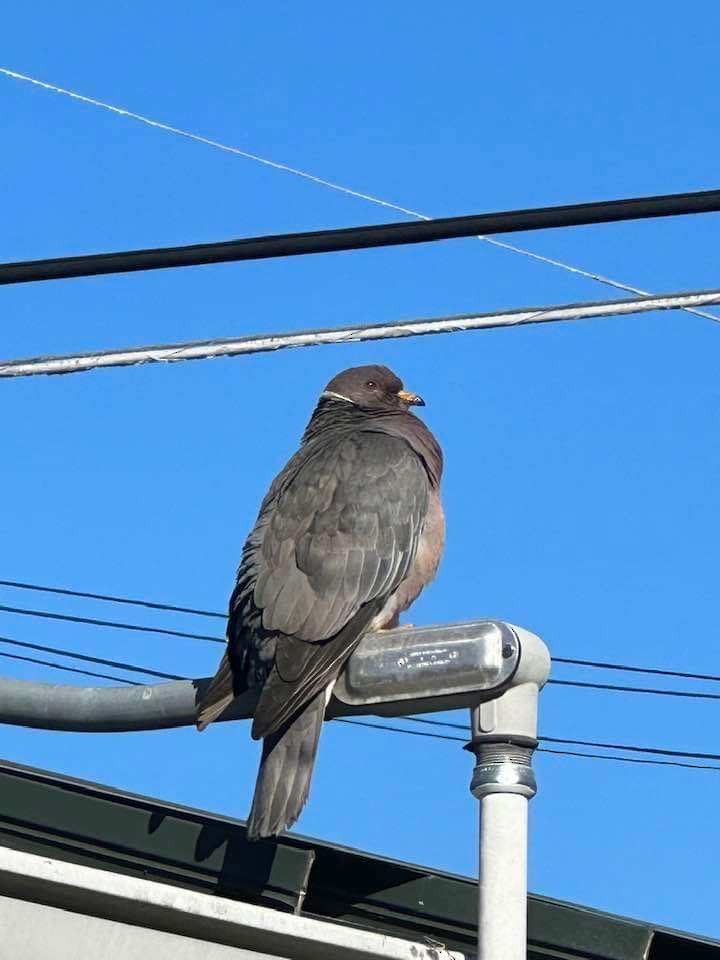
583,464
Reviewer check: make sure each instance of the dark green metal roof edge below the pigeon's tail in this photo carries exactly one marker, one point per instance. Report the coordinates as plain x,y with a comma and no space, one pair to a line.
93,825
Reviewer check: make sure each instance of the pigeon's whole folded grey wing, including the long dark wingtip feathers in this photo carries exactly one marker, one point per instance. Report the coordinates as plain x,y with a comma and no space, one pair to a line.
341,537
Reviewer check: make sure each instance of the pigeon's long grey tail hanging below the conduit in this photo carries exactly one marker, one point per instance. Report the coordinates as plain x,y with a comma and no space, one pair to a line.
286,766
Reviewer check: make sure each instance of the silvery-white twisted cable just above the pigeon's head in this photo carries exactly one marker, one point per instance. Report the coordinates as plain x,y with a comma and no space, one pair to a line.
262,343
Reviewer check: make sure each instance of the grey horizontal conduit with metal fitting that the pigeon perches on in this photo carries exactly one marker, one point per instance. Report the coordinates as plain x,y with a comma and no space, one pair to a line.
419,669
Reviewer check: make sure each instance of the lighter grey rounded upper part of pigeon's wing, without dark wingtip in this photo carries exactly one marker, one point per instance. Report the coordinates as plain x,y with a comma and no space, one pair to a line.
342,533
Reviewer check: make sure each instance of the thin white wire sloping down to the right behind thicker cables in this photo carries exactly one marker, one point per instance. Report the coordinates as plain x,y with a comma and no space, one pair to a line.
370,198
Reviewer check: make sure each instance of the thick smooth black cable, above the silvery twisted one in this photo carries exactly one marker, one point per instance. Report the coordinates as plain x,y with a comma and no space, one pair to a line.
365,237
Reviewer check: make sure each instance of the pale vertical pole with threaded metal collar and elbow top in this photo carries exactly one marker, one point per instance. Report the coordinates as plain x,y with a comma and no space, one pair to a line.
504,736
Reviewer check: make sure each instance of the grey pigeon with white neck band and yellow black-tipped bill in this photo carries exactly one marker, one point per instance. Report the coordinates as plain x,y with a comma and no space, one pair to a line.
350,532
